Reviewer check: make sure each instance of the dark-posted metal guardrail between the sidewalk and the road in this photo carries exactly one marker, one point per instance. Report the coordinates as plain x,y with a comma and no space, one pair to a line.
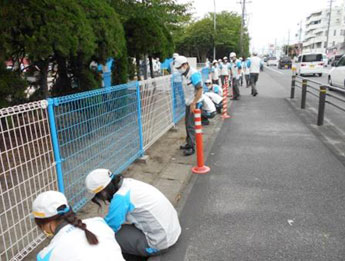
319,91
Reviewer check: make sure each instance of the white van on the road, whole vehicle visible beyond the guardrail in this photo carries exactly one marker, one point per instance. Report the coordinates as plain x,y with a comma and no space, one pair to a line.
310,63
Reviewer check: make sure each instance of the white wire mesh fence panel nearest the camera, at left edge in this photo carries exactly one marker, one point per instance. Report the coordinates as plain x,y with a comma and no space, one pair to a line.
27,168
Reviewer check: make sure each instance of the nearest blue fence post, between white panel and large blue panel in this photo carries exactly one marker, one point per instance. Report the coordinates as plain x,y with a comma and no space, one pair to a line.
55,142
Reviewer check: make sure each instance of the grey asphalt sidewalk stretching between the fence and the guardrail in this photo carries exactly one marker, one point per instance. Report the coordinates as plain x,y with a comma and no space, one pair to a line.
275,192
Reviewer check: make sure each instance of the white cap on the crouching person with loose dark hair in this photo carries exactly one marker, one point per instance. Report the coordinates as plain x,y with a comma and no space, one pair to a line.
97,180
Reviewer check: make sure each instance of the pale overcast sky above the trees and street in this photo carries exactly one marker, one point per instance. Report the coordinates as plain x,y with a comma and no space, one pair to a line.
269,20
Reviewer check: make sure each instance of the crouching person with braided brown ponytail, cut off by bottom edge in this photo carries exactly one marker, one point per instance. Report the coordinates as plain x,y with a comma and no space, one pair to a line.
71,238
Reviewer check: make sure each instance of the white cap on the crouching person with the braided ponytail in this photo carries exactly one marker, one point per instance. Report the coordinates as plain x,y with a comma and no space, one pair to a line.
47,203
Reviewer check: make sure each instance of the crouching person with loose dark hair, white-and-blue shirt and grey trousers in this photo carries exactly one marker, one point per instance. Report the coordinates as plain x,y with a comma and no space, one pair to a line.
145,222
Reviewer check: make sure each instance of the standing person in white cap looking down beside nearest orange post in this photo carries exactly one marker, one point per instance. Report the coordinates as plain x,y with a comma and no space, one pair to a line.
192,93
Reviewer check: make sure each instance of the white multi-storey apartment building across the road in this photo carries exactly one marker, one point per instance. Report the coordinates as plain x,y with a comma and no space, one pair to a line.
316,25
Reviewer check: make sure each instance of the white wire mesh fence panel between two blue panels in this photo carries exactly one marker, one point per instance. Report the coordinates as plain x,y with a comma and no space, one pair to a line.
156,108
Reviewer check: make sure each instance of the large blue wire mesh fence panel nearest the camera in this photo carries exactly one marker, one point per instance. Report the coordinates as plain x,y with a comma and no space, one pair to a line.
96,129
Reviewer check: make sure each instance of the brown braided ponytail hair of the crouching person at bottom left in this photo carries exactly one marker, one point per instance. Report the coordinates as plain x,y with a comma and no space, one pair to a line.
71,218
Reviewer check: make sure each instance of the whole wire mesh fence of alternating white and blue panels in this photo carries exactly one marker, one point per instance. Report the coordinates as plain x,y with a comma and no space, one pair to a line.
53,144
